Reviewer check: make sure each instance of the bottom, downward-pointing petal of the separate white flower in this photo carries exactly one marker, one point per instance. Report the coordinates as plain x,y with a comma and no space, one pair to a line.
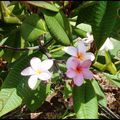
33,82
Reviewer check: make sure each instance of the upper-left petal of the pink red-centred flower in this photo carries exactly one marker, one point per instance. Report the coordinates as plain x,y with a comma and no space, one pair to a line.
72,62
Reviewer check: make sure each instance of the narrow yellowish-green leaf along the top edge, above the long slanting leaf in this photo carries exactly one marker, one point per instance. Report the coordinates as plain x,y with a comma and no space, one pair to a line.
43,4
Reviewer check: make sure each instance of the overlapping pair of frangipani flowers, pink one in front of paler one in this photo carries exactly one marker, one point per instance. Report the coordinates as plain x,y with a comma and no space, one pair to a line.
78,64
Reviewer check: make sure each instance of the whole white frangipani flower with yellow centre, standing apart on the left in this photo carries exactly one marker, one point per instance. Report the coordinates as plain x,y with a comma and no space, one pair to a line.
37,70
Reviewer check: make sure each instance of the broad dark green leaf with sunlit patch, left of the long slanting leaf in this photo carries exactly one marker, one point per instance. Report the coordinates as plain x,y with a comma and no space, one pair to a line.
33,27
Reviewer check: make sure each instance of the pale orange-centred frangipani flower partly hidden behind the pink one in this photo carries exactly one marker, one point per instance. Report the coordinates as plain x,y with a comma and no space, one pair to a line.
79,52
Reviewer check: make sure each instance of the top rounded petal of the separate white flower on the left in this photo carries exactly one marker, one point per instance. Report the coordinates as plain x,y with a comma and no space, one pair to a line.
35,63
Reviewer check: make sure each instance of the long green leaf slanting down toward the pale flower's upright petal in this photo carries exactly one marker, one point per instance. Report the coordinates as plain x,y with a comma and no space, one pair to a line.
56,29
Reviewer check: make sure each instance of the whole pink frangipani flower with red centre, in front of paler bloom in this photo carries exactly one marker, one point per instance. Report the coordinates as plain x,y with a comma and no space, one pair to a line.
78,70
